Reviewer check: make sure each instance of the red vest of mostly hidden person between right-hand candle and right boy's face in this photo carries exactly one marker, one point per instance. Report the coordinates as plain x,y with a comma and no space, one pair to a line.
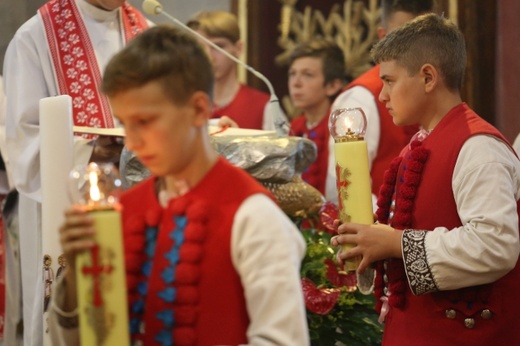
392,138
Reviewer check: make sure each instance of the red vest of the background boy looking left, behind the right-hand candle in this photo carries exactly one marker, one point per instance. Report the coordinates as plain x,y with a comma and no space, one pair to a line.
316,174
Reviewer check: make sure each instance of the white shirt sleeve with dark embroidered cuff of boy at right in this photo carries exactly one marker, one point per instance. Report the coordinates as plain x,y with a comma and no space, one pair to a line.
486,186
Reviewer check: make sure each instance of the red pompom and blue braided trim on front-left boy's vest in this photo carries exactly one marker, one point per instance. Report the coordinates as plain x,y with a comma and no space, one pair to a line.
180,294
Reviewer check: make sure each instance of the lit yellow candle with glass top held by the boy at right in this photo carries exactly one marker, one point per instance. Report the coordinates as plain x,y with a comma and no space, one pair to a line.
347,126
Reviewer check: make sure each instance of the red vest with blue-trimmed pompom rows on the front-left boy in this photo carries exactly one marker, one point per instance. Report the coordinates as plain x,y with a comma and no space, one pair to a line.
201,300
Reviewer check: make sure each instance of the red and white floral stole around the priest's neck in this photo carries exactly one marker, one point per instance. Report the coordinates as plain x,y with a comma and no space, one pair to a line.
75,64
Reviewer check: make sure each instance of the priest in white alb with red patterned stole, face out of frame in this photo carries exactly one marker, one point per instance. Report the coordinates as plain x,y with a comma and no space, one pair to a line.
62,50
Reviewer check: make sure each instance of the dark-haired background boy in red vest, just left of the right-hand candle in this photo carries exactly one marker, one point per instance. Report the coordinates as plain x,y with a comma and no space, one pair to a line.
316,75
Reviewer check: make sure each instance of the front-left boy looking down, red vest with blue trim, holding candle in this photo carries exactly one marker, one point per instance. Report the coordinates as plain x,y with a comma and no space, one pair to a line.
236,273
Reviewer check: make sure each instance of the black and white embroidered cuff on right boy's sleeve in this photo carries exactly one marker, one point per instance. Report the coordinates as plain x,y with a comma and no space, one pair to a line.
416,265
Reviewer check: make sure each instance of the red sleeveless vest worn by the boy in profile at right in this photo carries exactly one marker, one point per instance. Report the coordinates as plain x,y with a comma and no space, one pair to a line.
424,319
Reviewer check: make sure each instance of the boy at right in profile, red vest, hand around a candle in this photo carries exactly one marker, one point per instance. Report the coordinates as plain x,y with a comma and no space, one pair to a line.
447,244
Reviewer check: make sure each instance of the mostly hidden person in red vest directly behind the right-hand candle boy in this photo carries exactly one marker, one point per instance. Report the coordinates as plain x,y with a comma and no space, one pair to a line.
384,139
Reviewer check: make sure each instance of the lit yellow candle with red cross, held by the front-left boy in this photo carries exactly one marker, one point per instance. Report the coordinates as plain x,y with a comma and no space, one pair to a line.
100,272
